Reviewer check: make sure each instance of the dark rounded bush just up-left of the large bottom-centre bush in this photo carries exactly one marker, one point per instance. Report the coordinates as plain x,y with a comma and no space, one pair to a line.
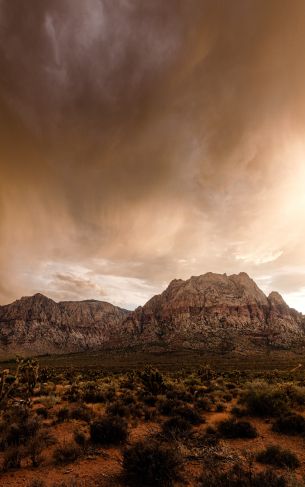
109,430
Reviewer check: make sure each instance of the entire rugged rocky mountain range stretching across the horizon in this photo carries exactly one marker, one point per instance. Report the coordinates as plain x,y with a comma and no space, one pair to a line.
211,312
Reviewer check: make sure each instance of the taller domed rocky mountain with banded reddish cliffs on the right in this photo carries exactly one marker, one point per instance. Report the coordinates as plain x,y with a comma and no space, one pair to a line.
215,312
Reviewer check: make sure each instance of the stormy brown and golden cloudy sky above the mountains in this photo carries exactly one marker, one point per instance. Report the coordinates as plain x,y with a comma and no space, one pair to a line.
144,140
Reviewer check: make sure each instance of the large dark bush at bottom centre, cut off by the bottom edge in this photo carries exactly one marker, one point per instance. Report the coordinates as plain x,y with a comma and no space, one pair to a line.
151,464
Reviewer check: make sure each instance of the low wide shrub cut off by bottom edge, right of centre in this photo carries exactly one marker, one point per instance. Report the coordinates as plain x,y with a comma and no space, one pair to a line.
237,476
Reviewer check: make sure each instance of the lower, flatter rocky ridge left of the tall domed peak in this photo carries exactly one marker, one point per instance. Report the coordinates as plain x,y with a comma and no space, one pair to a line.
38,325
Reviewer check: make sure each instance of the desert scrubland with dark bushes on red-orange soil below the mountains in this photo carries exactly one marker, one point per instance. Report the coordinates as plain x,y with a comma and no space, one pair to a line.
204,427
